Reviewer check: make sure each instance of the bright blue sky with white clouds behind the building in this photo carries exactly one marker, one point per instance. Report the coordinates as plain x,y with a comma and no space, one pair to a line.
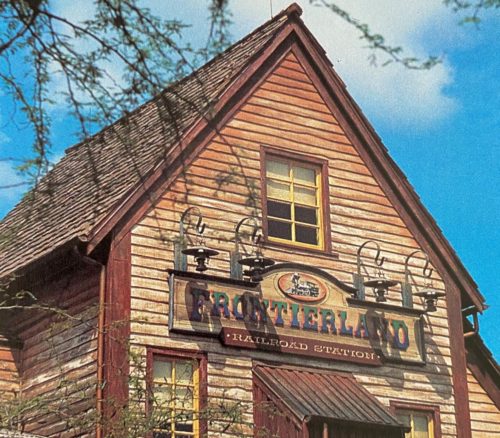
441,126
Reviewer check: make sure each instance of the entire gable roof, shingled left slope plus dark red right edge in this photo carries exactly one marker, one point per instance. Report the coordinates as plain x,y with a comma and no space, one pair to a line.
99,179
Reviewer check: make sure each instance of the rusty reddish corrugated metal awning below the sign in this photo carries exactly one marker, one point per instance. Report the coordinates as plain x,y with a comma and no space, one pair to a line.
324,395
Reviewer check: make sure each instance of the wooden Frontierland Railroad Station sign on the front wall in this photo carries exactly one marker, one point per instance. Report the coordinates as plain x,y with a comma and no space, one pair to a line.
297,311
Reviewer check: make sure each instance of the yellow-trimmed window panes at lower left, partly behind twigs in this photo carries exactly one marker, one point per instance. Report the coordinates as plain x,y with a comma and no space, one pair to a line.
175,397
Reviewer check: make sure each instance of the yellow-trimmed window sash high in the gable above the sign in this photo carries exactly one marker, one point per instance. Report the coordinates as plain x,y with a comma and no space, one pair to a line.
293,202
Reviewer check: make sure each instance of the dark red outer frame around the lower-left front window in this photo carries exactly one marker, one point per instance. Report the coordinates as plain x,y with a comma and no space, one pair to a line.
172,354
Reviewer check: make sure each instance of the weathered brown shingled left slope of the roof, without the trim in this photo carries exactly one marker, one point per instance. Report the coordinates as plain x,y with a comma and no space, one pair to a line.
95,174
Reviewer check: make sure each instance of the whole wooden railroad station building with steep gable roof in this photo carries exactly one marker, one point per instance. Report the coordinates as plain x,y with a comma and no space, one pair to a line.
108,328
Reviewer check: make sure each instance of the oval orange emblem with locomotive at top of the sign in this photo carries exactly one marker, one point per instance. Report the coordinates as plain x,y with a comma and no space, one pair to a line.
302,287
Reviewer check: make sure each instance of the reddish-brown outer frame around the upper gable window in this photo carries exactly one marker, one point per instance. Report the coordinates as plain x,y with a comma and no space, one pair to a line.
267,153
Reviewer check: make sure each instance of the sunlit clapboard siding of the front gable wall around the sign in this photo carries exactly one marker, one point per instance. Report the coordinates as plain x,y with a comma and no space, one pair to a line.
285,112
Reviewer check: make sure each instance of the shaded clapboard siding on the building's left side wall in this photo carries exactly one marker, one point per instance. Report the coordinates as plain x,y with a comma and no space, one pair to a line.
59,356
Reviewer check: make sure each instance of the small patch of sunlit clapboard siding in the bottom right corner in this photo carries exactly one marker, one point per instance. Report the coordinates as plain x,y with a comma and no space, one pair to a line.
485,415
